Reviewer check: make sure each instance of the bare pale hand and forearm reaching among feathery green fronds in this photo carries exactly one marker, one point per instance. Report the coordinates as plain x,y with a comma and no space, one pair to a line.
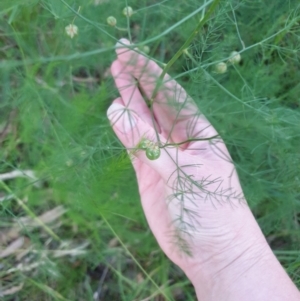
191,194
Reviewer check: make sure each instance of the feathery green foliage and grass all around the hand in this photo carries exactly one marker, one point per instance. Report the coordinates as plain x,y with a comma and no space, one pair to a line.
74,229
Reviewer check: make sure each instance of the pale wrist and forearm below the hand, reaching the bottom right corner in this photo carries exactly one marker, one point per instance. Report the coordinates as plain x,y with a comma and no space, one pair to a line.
246,270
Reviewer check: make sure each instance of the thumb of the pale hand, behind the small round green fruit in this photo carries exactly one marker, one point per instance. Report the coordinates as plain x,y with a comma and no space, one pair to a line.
131,130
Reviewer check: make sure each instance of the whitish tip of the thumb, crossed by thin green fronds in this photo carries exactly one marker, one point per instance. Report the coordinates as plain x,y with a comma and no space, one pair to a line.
121,118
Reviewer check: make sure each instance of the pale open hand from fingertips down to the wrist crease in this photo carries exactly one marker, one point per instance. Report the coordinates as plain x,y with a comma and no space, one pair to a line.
191,194
